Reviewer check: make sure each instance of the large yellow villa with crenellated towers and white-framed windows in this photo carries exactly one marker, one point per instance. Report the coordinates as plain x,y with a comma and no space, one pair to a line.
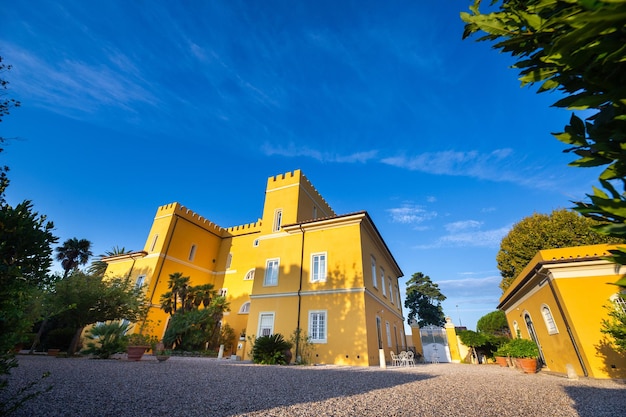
299,266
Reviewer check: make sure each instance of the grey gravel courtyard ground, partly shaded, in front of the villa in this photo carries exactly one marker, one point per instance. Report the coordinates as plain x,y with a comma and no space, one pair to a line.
211,387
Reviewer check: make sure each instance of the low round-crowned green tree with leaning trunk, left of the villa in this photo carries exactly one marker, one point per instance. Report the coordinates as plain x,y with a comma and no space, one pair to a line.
82,299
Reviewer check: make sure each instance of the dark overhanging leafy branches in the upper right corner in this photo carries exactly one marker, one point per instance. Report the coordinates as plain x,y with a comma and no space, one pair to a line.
577,48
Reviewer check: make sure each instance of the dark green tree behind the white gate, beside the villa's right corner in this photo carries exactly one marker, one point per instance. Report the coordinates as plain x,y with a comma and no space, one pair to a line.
423,299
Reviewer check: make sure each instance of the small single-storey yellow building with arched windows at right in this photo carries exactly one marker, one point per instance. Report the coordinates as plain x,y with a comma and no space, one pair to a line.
559,301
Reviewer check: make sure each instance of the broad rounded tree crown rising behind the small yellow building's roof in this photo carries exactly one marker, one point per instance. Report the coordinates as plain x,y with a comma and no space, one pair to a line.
560,229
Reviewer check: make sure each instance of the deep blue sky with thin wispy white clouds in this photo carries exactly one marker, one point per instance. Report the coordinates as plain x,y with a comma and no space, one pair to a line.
127,106
